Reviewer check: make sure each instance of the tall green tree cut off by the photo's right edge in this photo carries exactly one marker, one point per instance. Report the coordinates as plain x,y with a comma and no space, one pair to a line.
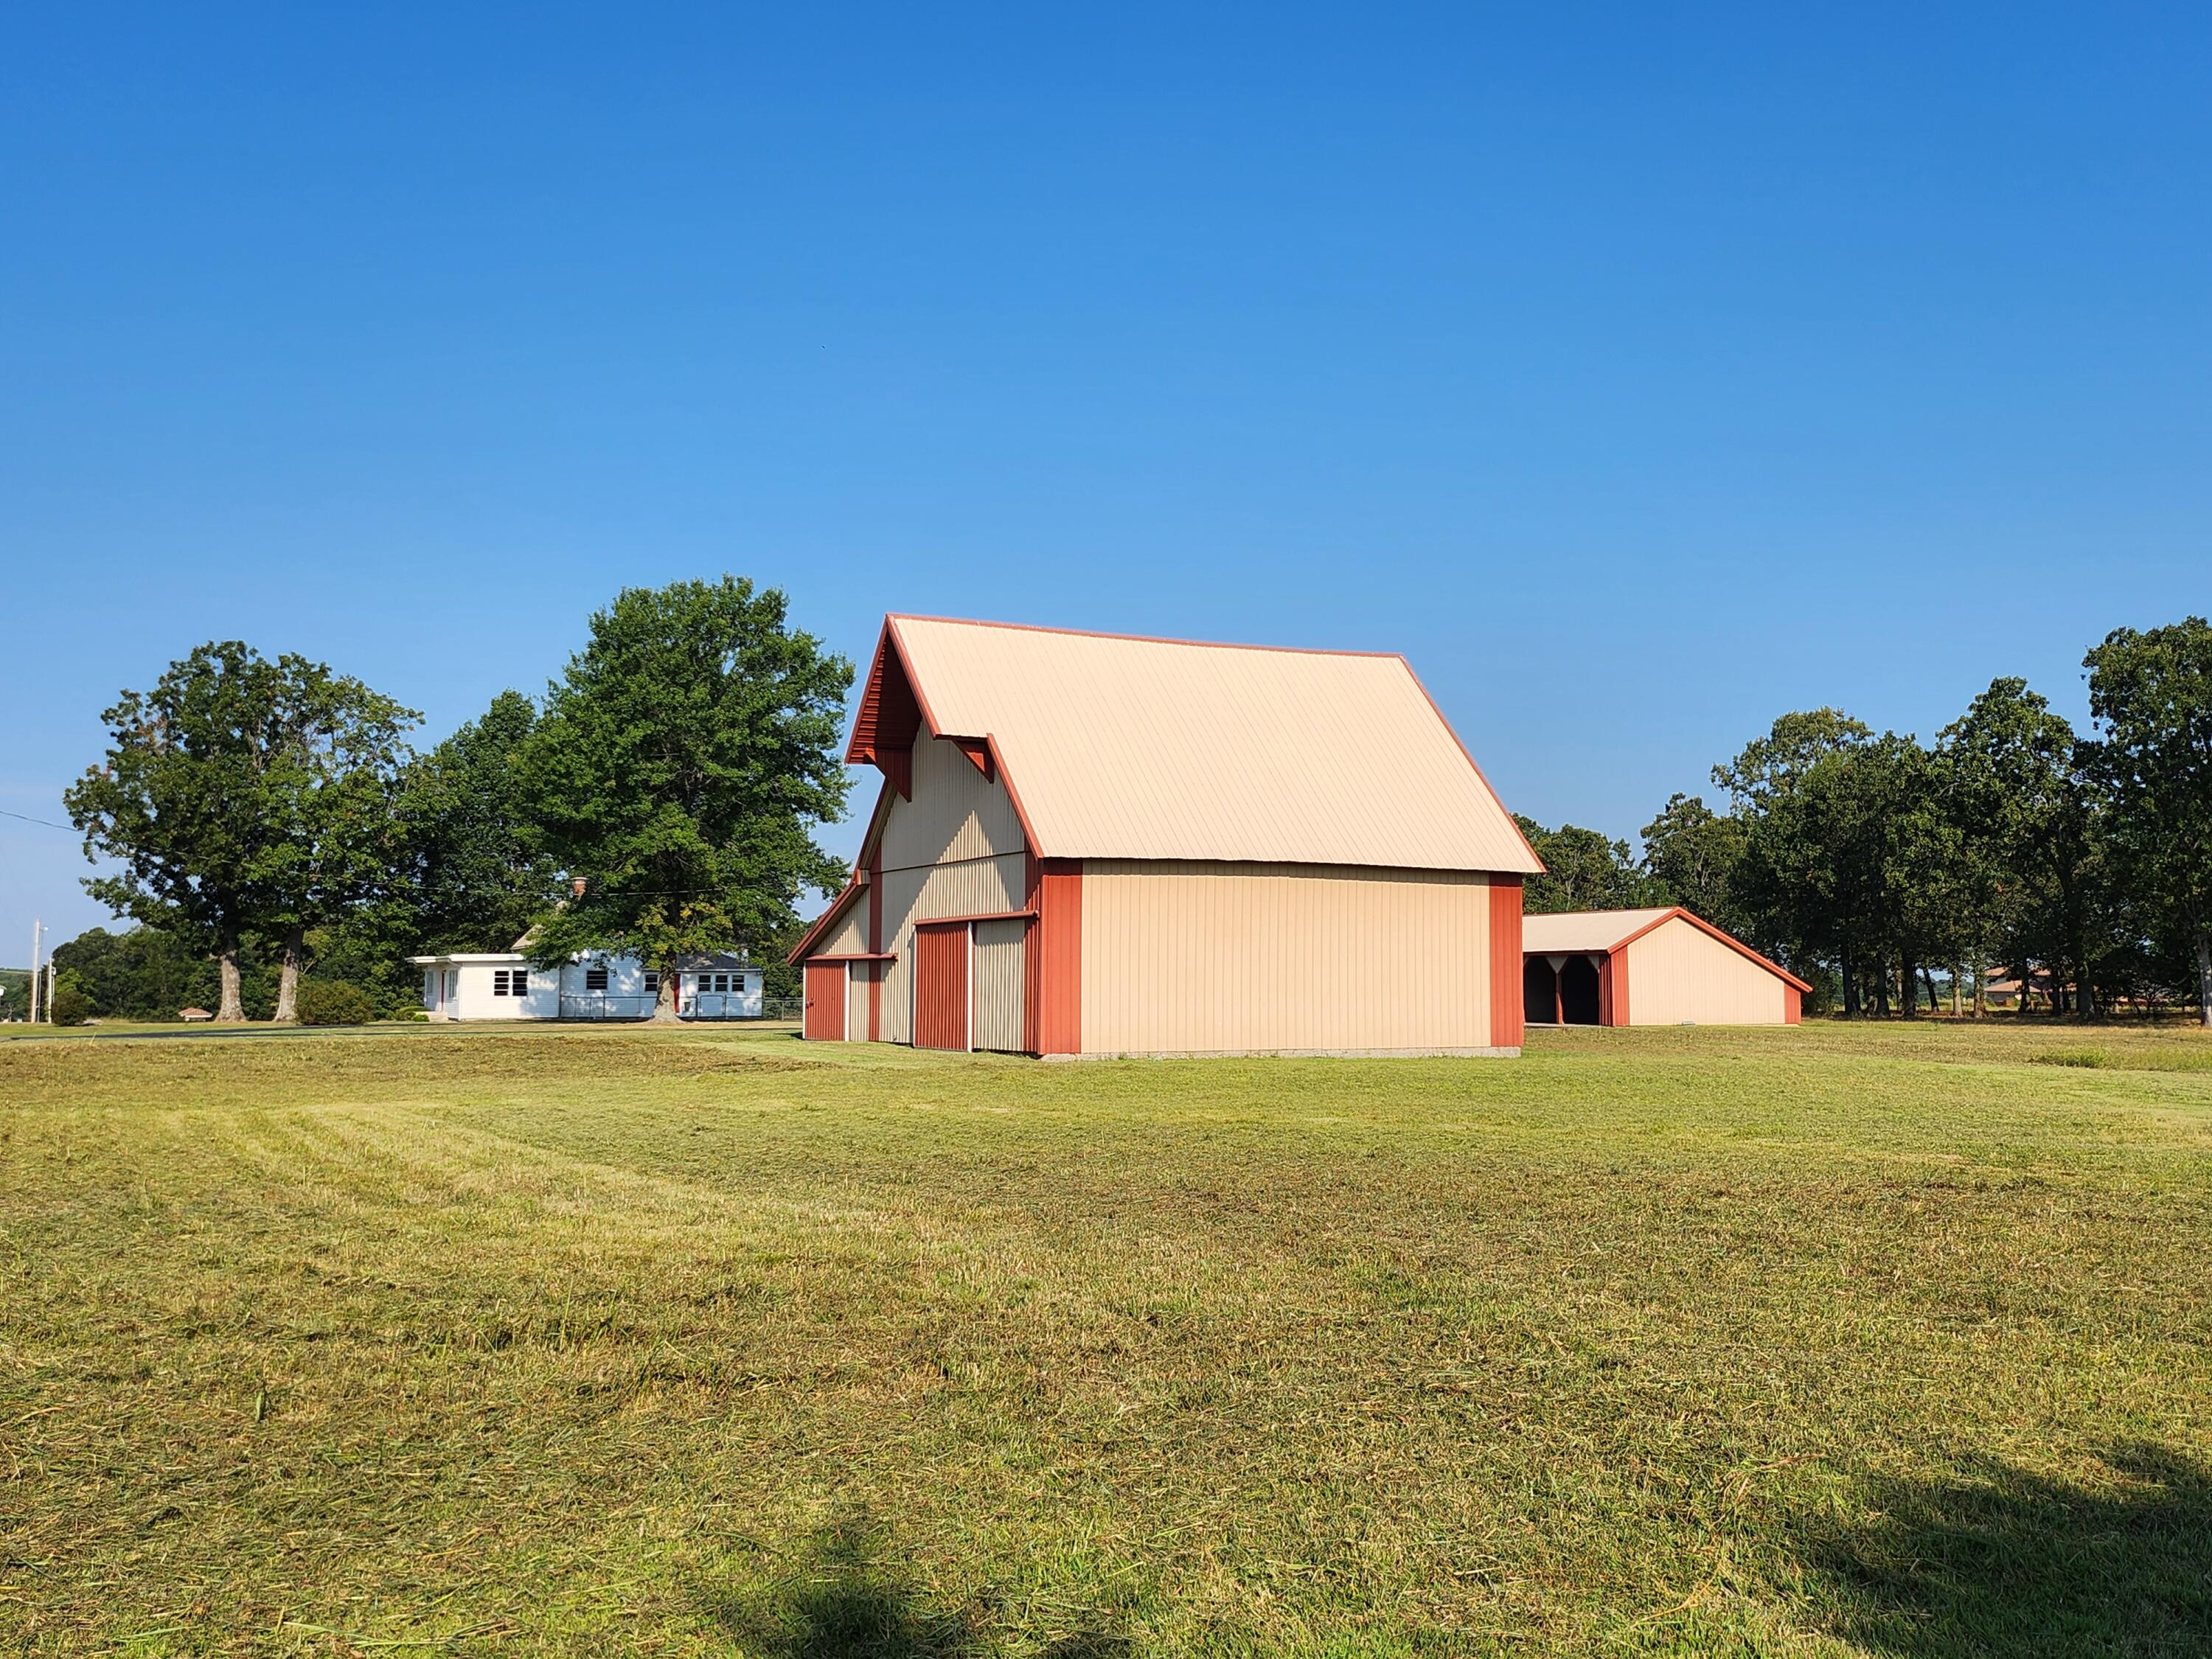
2151,693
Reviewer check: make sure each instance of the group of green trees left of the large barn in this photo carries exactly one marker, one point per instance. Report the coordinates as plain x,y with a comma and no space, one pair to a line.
267,820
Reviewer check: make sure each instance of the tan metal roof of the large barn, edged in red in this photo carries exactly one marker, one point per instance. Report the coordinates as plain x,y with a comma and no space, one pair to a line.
1162,749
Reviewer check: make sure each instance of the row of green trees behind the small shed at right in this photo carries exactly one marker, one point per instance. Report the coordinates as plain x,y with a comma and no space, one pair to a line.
1870,862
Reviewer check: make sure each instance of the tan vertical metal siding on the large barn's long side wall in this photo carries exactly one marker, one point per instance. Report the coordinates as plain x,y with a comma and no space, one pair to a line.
1227,959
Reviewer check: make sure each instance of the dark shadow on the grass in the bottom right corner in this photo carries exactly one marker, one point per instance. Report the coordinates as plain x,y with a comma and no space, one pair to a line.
2007,1563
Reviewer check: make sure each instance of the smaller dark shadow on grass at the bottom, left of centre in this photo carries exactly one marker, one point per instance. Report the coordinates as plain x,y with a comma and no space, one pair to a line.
844,1603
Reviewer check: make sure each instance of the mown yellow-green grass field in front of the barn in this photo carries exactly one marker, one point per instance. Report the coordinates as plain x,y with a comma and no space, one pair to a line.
1813,1342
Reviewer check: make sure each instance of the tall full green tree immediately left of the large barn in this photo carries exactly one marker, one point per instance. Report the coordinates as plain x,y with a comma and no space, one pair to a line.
680,771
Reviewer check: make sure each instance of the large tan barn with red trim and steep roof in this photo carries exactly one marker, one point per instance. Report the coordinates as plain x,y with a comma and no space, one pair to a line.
1109,846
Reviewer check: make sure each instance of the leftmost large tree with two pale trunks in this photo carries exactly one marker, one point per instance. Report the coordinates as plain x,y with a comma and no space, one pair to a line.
240,797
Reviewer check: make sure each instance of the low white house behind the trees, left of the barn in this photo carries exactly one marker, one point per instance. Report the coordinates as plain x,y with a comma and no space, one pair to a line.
503,985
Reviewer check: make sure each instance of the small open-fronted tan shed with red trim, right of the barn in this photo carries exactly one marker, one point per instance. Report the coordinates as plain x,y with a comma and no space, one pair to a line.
1649,968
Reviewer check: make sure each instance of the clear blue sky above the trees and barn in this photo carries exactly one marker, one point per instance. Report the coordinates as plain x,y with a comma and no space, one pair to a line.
1638,373
